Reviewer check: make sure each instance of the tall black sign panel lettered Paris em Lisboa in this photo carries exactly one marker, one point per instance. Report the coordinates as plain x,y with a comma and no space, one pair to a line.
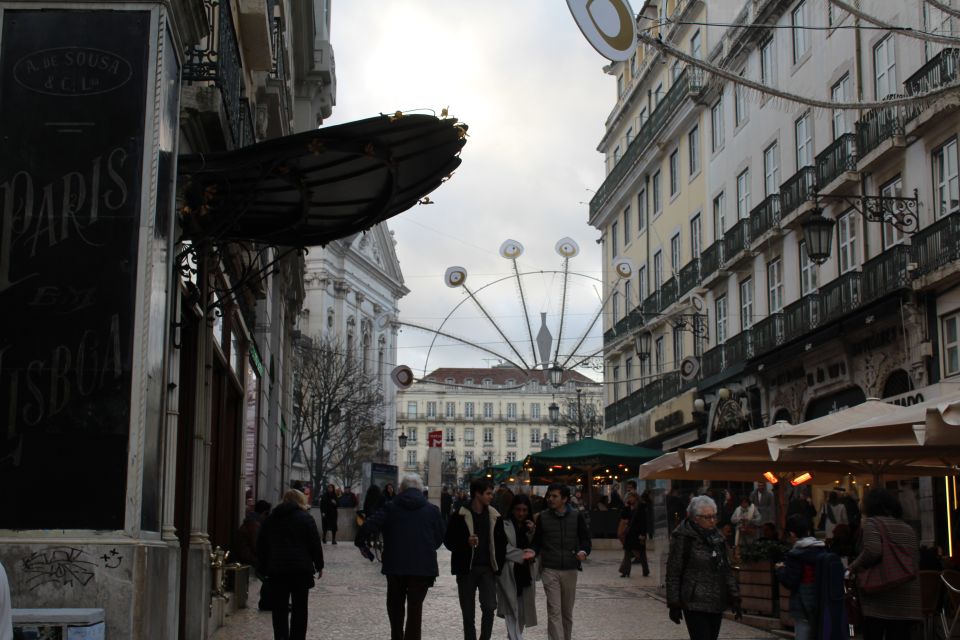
72,108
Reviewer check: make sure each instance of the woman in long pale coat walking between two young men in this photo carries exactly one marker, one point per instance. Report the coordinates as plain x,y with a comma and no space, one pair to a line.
515,593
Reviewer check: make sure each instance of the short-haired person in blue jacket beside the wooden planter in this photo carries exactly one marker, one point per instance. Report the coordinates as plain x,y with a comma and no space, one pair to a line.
798,574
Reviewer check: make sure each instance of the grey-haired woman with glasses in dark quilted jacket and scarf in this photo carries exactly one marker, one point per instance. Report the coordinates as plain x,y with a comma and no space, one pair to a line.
700,580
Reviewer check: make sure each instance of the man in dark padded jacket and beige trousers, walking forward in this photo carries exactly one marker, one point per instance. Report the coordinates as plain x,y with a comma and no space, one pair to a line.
562,540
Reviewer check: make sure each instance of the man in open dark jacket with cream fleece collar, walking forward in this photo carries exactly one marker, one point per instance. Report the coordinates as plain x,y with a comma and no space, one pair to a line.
478,548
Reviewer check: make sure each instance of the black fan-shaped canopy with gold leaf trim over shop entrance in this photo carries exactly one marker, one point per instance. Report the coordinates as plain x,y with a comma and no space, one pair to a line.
311,188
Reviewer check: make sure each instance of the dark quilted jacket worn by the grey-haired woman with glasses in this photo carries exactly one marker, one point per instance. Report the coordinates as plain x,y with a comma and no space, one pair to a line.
699,576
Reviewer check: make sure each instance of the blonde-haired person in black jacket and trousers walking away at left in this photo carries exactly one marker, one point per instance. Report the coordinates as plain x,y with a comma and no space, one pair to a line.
289,551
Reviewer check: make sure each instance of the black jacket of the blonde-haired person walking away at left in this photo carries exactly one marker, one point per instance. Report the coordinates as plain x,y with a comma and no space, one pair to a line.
289,543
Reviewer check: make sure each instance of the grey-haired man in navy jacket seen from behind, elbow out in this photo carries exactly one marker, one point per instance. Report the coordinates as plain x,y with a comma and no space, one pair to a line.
412,531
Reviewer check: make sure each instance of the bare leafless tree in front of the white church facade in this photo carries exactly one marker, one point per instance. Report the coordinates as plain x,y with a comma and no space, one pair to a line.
337,410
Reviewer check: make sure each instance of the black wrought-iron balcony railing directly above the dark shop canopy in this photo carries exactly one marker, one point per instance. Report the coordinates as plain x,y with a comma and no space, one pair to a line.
218,61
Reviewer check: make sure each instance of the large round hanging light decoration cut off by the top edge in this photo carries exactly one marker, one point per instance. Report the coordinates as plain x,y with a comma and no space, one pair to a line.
608,25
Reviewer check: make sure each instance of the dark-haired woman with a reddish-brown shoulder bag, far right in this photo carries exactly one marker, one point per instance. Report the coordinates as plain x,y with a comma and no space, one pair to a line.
887,570
